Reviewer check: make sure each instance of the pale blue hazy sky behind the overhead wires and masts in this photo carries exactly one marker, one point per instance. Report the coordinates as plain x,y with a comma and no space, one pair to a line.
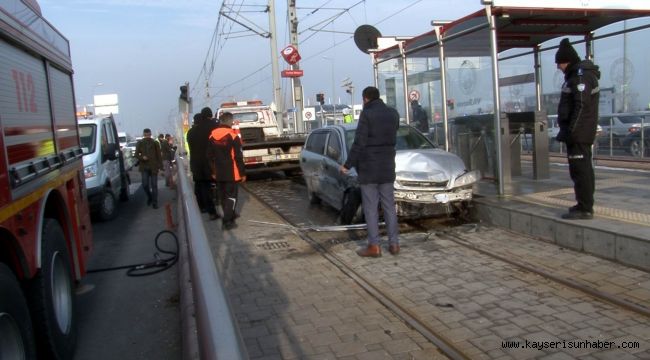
143,50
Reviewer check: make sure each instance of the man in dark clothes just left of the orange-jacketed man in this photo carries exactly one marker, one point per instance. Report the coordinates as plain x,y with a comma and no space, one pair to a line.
197,140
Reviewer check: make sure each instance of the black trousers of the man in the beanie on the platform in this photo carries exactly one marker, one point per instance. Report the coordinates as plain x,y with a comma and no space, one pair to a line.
581,170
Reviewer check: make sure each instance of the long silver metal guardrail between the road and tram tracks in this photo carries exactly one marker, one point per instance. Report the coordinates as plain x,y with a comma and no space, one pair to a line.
210,329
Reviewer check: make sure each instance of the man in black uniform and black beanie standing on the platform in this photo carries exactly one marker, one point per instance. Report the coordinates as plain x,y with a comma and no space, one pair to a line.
577,116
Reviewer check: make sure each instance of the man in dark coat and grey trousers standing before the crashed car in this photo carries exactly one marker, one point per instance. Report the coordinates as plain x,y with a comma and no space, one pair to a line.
373,155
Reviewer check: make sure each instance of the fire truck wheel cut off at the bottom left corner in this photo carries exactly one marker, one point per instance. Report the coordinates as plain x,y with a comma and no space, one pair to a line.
17,341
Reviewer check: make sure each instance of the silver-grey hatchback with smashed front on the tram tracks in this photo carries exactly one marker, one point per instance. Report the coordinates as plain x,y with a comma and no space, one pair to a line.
429,181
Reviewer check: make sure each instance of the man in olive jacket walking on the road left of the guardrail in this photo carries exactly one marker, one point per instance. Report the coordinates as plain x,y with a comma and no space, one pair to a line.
147,151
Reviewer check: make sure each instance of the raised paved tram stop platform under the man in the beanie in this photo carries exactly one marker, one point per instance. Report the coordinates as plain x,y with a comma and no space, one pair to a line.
620,229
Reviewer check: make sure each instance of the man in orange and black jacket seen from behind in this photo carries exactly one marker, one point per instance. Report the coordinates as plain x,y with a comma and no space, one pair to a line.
227,166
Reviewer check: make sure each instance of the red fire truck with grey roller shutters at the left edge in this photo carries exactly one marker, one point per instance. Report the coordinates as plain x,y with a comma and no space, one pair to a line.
45,230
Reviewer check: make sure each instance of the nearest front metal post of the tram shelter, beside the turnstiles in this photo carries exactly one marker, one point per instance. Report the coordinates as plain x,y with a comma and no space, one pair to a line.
497,99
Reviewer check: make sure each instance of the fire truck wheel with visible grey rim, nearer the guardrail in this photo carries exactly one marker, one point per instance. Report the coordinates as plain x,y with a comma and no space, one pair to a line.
52,298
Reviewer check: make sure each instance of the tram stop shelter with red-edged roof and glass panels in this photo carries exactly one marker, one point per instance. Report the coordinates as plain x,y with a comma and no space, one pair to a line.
495,69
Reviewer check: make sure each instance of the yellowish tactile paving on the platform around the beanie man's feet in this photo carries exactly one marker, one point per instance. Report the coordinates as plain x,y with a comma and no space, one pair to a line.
550,198
